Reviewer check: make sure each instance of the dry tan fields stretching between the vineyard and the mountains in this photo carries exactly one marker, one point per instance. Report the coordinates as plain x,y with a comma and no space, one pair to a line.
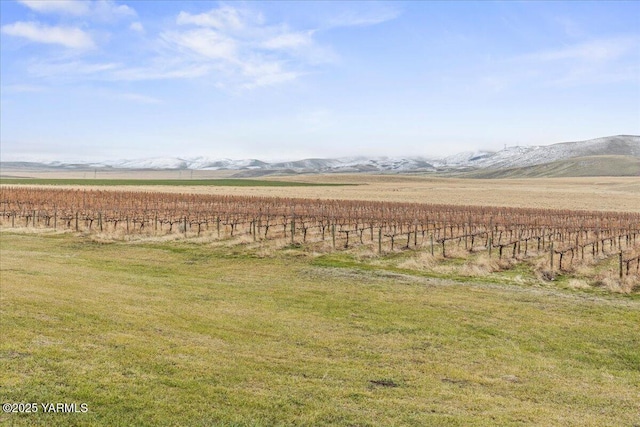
585,193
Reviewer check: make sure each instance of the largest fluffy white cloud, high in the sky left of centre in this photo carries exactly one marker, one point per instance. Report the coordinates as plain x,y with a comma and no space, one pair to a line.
242,48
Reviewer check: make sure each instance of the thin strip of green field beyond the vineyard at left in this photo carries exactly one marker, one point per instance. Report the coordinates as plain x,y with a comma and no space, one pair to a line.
231,182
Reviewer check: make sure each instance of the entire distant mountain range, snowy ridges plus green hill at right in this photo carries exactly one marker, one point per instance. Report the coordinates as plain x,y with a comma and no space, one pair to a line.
613,155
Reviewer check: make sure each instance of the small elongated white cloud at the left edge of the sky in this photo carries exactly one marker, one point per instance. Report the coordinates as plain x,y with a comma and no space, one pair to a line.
70,37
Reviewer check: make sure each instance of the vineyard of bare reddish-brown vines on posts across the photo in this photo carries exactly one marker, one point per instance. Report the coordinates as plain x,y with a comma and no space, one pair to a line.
516,232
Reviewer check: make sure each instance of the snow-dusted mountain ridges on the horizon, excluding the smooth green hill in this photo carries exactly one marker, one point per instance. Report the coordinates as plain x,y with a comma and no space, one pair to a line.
509,158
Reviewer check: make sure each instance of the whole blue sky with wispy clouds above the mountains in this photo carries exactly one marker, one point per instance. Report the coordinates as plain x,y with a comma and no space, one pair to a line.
106,79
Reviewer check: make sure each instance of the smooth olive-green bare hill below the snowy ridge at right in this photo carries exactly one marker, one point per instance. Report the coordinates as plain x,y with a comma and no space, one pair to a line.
577,167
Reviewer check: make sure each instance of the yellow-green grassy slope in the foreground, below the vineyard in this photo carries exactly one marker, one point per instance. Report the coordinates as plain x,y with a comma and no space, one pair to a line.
184,334
